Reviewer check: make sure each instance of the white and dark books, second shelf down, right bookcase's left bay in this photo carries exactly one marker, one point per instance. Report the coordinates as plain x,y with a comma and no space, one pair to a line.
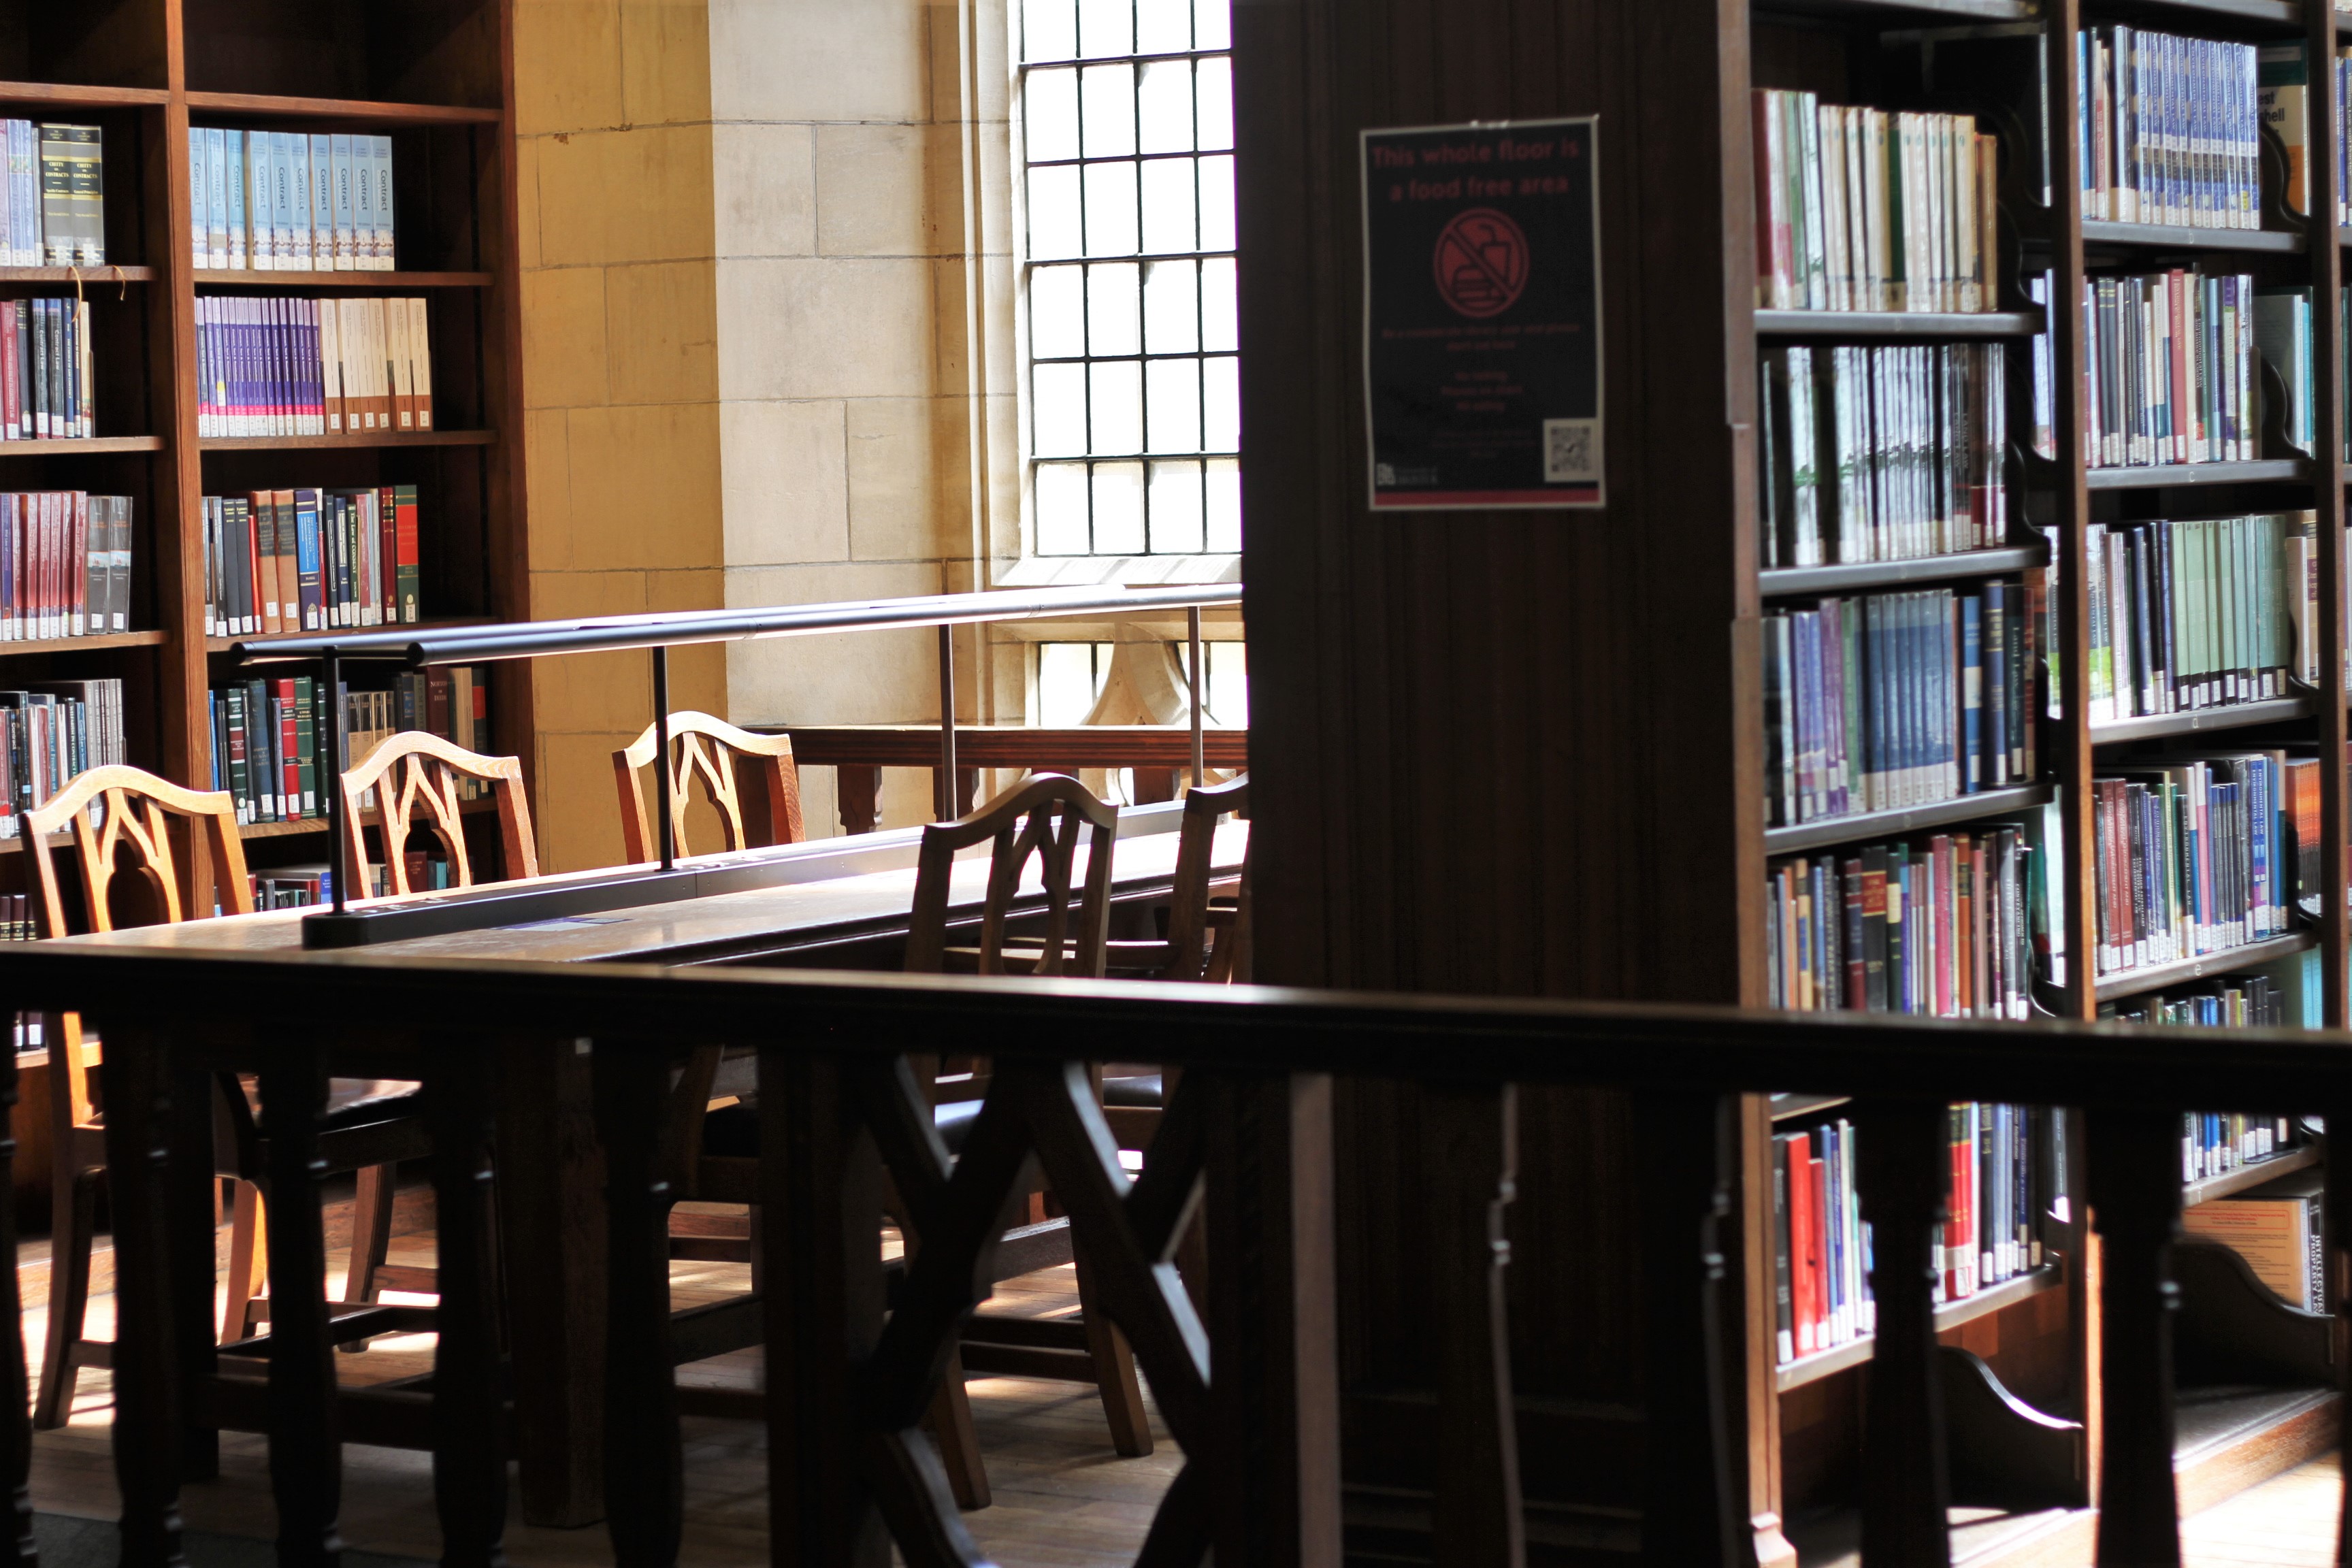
1880,455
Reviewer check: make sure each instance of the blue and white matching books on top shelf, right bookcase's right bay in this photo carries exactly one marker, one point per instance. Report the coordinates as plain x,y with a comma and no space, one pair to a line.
2172,128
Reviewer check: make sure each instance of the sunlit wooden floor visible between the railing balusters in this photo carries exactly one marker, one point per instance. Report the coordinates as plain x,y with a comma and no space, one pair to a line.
1062,1499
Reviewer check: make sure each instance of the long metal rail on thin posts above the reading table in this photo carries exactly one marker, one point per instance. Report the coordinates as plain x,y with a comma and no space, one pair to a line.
664,631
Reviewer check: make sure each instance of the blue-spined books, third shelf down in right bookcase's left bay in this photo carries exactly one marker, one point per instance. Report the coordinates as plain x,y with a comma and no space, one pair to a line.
1897,699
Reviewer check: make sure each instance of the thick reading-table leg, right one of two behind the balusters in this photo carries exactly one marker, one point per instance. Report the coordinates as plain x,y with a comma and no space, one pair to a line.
552,1224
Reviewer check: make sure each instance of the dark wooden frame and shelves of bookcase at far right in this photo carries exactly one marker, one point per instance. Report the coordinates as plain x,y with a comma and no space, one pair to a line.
2038,1332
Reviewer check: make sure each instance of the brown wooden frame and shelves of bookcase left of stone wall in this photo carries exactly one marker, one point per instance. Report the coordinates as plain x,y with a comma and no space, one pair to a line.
434,76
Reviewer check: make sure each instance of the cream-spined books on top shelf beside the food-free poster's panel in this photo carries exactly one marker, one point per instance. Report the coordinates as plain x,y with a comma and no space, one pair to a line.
1873,210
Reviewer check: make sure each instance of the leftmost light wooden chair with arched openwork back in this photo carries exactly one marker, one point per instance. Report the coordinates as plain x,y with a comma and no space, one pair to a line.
135,876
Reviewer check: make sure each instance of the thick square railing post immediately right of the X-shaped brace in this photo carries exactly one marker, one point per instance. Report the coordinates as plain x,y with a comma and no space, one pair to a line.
1274,1322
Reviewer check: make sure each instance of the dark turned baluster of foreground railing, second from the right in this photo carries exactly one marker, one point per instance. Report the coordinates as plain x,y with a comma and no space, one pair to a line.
1906,1480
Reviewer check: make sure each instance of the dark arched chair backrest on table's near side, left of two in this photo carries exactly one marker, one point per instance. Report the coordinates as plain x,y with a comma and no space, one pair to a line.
1041,817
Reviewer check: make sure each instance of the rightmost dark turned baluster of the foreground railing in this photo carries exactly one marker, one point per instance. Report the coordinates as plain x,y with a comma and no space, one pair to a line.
2137,1212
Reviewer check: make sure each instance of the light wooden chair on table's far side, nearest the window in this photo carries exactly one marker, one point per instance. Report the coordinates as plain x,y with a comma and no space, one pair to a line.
719,756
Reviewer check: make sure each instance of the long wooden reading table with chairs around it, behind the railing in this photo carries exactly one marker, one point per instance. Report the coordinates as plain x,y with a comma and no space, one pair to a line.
552,1172
